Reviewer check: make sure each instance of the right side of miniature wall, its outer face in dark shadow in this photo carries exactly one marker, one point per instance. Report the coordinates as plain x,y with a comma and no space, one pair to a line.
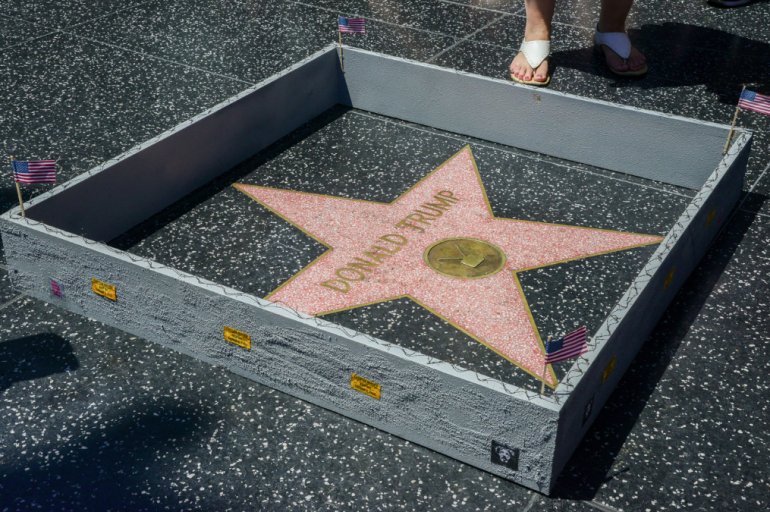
633,319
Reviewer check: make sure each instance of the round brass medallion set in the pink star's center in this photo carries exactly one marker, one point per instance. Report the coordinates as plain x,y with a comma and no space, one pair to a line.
467,258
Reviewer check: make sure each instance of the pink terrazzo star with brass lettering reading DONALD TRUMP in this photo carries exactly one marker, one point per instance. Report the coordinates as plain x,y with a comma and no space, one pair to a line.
376,253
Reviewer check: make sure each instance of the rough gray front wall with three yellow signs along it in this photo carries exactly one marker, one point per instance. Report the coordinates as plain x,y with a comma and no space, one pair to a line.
423,400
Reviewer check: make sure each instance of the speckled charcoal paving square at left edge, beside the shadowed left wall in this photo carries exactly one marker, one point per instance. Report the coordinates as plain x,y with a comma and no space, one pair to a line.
82,103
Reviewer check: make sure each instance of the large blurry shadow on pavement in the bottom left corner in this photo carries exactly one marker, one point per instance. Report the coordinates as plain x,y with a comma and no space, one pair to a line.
121,463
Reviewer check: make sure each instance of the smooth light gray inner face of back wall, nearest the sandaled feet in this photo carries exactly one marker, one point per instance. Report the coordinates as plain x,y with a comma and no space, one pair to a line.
653,146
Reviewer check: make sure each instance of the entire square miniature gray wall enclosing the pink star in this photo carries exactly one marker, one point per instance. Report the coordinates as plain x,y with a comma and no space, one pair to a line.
454,411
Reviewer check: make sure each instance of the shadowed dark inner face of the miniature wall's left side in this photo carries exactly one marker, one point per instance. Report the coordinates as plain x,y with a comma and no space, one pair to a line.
104,204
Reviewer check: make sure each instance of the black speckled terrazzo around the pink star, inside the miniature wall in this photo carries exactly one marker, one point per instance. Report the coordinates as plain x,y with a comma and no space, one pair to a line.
223,235
